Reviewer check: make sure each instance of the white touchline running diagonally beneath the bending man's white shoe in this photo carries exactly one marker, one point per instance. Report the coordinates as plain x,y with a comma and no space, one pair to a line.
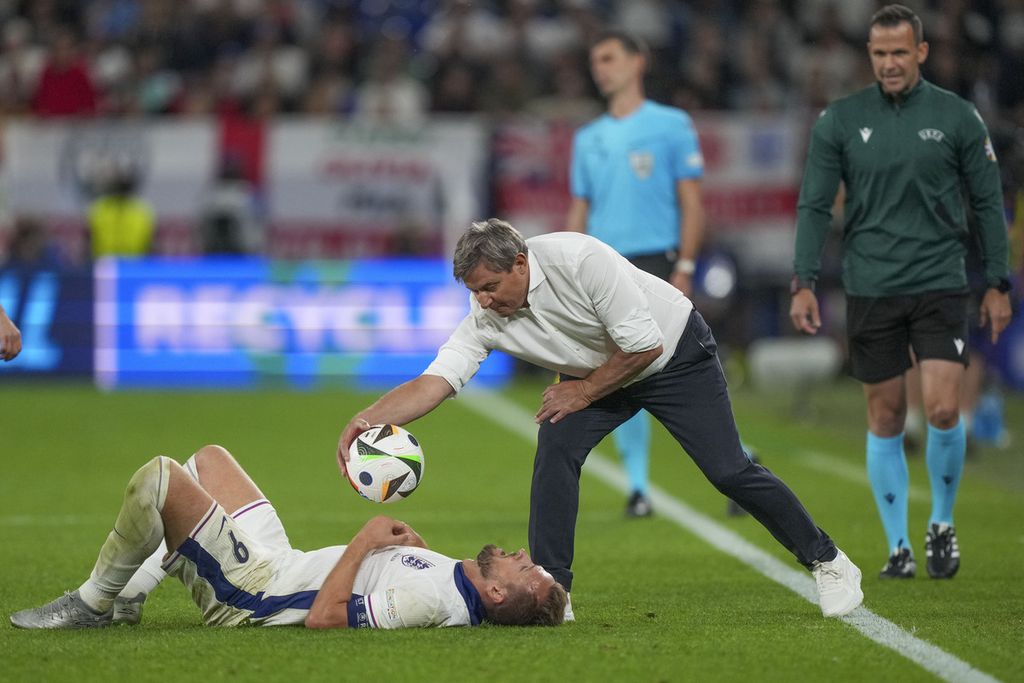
504,412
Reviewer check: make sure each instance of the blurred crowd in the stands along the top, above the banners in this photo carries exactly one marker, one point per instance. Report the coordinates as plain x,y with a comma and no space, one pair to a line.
398,61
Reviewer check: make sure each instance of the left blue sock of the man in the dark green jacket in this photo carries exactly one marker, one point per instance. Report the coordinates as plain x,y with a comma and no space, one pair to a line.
890,484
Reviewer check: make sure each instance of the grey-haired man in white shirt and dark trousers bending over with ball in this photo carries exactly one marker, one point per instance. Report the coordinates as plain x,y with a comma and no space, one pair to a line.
621,340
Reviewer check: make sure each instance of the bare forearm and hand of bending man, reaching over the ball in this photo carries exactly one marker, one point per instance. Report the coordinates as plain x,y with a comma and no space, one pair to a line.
400,406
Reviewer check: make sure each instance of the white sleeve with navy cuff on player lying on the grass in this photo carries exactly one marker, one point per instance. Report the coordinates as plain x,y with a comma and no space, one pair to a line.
410,605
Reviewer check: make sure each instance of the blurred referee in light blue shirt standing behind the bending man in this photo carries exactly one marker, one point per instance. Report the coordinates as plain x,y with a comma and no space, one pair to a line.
636,176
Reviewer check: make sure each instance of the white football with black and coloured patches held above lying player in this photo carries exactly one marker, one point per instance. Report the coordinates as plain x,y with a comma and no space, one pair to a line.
386,464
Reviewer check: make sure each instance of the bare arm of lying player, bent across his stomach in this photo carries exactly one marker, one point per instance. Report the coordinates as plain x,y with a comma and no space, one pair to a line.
330,610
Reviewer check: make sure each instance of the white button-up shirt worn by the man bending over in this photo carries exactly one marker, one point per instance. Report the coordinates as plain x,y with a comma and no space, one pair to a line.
585,303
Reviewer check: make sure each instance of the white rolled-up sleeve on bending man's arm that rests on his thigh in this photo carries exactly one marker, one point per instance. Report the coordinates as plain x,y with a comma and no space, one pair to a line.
618,301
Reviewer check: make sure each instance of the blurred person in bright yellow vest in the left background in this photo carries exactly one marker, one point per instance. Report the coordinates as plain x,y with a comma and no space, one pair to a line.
120,223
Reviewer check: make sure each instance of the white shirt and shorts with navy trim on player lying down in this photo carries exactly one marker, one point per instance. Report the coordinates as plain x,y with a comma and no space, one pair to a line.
245,572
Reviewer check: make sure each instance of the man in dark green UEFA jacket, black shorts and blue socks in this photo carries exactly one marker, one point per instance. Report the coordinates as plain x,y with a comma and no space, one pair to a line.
911,156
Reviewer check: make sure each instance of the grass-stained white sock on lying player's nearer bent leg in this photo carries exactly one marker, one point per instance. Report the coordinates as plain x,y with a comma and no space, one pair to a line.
137,534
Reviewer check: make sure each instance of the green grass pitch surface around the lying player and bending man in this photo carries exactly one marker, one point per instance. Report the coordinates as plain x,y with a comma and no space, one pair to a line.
654,604
